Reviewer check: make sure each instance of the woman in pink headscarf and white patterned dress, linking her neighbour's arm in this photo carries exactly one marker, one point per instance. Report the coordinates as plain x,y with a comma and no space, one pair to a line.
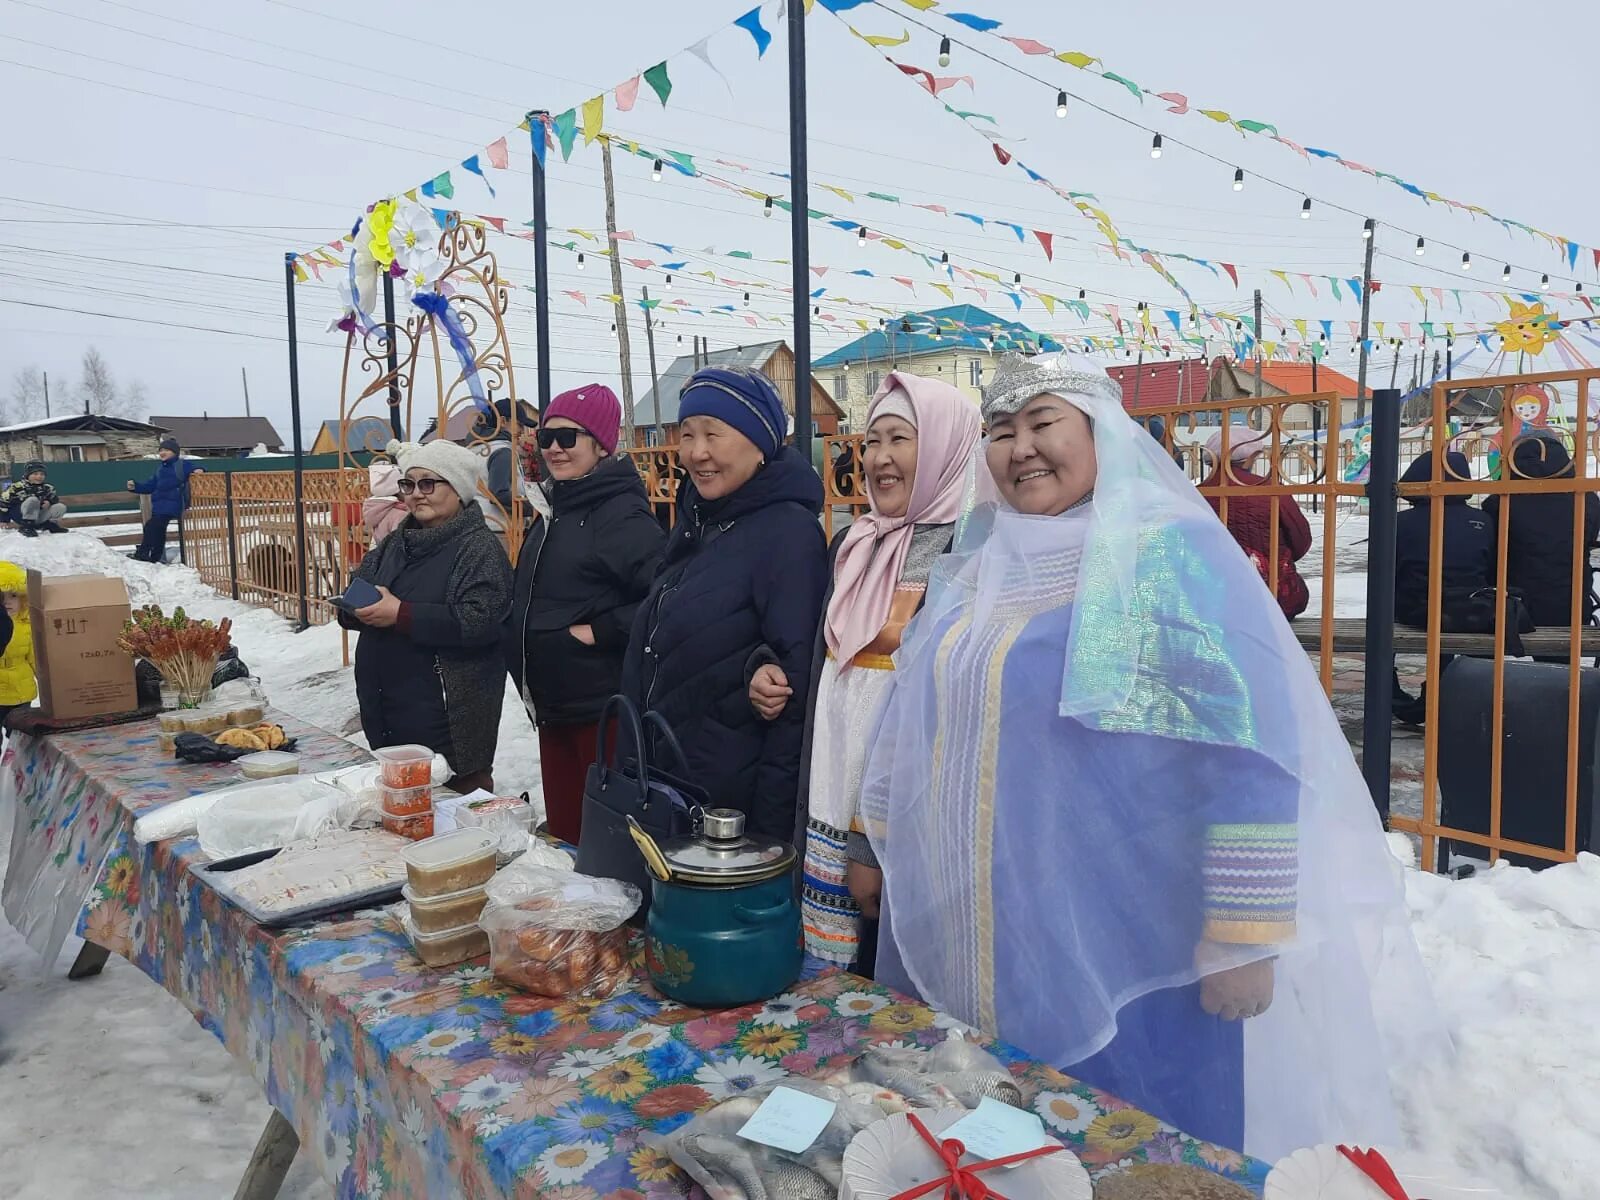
921,444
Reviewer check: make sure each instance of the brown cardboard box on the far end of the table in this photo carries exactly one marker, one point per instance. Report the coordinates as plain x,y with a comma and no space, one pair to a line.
78,620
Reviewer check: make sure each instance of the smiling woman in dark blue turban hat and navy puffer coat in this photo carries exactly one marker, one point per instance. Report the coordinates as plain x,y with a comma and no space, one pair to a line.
745,572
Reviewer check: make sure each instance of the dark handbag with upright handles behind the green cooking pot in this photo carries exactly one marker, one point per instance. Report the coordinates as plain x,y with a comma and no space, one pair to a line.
655,794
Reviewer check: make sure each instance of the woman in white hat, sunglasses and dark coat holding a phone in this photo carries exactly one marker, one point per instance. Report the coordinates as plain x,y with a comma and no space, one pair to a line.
428,665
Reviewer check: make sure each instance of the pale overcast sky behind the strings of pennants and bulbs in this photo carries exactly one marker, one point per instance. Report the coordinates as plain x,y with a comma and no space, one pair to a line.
161,156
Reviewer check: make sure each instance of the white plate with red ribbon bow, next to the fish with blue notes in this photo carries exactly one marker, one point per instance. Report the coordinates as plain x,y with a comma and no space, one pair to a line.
876,1164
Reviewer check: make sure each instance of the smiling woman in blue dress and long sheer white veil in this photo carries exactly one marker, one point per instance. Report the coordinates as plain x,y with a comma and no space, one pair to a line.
1119,823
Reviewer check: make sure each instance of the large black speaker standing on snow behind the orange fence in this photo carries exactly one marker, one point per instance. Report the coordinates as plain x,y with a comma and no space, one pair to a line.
1534,748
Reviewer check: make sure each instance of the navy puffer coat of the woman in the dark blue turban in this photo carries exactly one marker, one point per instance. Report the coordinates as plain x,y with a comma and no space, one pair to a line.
738,574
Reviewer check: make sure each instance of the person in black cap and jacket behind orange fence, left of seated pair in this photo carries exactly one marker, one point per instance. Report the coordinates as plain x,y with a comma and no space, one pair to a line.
1468,550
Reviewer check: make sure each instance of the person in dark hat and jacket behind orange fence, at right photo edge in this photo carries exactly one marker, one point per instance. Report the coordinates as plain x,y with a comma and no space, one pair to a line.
1540,542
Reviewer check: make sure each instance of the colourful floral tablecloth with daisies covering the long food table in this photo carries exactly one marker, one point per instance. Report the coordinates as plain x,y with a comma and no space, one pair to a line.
410,1082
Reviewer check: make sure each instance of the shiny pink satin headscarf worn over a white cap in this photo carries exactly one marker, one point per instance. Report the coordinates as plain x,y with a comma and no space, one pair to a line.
874,551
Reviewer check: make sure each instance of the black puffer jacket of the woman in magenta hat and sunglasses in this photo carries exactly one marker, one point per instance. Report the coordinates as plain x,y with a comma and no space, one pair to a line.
590,566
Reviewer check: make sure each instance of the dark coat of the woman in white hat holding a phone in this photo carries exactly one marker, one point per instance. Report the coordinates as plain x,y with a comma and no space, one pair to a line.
436,678
